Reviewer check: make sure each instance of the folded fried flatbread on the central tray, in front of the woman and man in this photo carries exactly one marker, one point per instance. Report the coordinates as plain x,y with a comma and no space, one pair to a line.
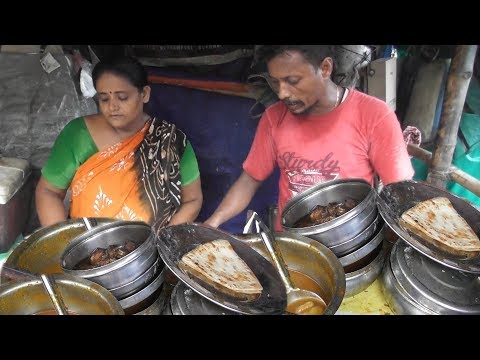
217,264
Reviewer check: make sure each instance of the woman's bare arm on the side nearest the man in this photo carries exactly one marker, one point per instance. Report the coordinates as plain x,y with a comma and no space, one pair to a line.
192,199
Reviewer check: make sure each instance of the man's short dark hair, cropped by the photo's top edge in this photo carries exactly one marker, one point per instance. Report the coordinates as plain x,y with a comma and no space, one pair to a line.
314,54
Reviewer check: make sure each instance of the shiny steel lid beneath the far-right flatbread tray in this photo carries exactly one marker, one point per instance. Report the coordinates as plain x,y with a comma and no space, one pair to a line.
437,287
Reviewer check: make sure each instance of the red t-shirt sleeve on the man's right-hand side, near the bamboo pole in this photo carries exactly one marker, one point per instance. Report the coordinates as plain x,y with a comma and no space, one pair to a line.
388,151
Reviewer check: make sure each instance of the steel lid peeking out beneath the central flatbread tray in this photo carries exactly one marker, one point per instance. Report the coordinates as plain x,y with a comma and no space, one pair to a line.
185,301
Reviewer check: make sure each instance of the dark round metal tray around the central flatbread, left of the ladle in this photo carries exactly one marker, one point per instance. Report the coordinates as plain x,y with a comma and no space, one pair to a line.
175,241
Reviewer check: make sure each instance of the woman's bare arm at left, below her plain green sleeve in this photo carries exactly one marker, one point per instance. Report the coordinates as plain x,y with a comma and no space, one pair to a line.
49,203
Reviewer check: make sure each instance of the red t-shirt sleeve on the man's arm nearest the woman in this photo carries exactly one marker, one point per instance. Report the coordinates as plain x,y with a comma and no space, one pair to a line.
260,161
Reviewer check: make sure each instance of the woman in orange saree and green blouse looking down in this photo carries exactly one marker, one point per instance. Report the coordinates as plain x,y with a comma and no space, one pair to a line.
121,163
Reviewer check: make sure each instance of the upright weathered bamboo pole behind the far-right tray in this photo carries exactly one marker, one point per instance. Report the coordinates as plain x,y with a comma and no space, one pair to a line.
459,76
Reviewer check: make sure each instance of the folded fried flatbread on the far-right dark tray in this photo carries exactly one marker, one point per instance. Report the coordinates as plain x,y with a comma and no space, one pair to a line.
436,221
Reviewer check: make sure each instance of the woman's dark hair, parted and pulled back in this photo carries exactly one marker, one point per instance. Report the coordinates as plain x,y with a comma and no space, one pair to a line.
127,67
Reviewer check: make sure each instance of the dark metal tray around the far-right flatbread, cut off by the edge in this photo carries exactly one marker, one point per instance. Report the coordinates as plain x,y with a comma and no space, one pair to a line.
398,197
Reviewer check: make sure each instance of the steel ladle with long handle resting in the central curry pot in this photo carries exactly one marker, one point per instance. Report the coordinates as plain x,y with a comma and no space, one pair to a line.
294,294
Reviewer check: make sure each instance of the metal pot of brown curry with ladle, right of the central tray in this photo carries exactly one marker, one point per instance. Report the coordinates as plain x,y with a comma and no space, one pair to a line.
311,258
